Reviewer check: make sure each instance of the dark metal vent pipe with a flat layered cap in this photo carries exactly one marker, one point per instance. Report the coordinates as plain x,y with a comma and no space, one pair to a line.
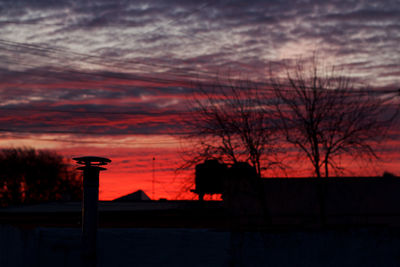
91,170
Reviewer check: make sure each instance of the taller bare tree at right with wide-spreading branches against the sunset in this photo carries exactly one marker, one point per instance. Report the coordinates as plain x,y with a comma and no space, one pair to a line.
325,117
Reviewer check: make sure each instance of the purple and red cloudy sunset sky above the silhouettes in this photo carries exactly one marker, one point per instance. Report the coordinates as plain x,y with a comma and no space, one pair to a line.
110,78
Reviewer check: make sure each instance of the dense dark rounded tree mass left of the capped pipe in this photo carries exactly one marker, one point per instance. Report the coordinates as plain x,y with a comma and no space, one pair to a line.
33,176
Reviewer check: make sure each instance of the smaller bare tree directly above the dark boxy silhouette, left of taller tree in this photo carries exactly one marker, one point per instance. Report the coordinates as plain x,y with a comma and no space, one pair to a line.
227,122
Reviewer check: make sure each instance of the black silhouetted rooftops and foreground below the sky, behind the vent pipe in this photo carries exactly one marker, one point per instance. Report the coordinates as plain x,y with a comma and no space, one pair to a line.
260,222
